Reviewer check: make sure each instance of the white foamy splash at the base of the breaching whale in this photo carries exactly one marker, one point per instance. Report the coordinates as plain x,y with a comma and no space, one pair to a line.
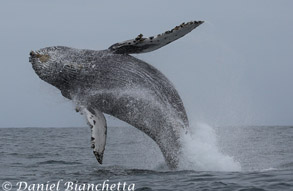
202,153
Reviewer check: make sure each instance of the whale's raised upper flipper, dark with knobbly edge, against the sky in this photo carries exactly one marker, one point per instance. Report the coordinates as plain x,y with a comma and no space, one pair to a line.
142,45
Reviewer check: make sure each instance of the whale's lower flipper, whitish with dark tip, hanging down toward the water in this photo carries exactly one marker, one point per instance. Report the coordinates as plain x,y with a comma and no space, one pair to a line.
98,125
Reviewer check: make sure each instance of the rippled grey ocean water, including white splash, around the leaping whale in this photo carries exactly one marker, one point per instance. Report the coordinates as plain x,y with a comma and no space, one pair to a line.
214,158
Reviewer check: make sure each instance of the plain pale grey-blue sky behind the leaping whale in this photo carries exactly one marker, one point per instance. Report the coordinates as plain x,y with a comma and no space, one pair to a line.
235,69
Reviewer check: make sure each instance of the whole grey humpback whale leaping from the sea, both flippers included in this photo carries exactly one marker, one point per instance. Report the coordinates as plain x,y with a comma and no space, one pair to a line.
113,82
